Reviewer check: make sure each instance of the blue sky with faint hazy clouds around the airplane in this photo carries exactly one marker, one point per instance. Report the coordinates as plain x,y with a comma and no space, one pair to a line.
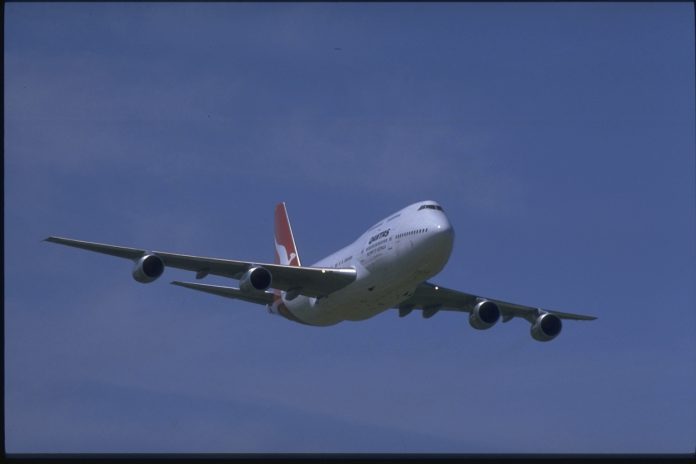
559,137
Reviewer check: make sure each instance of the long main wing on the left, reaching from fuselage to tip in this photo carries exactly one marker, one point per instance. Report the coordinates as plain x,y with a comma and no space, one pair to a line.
309,281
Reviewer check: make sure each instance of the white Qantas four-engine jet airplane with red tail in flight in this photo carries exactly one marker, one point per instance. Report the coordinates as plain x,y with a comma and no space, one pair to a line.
387,267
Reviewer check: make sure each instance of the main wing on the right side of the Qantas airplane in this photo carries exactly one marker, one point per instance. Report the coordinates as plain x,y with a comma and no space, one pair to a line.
432,298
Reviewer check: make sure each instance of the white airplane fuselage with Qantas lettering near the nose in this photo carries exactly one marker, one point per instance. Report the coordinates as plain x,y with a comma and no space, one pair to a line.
391,259
